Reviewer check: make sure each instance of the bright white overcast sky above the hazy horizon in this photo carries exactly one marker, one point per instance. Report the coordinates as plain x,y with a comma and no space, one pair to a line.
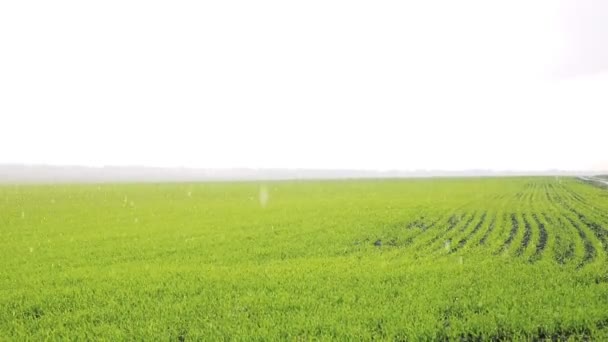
315,84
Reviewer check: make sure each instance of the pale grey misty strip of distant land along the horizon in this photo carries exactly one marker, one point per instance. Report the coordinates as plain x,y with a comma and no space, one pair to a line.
67,174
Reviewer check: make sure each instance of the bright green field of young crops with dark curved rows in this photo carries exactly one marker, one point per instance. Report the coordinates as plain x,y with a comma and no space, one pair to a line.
430,259
